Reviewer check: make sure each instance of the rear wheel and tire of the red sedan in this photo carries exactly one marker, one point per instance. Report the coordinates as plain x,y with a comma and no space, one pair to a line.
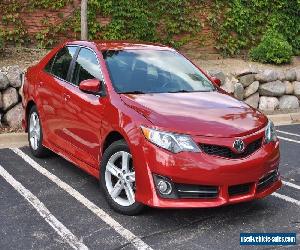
35,134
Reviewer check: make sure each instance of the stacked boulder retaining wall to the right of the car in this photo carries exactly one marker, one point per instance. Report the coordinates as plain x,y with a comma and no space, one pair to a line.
266,90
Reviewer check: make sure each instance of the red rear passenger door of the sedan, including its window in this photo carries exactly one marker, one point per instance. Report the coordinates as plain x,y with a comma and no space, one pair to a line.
50,91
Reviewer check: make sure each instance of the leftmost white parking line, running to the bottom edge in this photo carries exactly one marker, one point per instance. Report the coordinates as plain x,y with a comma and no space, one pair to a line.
67,236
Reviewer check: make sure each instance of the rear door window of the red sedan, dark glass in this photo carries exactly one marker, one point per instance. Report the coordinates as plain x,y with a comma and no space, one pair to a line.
62,62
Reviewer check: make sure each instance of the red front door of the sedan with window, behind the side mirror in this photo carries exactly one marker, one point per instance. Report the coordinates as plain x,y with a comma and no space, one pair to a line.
83,112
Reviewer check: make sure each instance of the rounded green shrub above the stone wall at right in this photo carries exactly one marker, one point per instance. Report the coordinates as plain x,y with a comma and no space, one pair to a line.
273,48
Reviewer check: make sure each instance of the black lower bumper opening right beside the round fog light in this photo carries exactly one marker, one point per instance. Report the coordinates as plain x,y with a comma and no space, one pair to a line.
196,191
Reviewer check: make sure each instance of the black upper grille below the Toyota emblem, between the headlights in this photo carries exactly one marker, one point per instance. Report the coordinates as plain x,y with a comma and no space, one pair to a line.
226,152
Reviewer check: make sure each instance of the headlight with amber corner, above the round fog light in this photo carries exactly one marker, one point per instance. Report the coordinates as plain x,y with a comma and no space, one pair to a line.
173,142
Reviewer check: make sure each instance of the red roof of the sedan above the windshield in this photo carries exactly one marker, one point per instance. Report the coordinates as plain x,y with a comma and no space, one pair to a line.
120,45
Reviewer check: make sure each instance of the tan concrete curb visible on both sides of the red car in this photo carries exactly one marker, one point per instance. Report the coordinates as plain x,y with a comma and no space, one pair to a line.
20,139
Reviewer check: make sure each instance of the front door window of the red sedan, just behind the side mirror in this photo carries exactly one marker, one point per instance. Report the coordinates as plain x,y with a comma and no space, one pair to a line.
86,67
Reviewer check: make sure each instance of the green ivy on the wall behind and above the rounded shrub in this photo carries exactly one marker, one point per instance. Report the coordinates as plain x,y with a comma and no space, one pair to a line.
241,24
